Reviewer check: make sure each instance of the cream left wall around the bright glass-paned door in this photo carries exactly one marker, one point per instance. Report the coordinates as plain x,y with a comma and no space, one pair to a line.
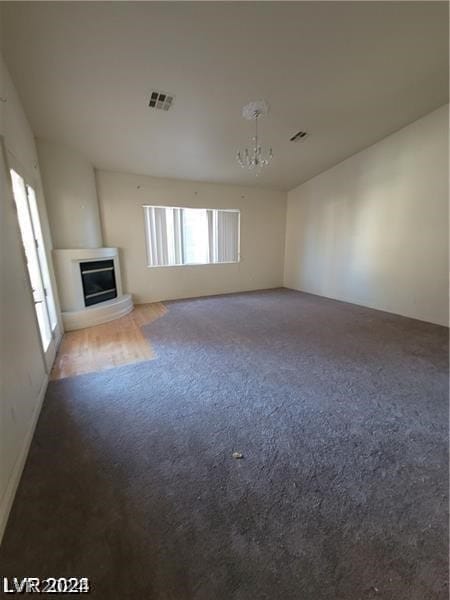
23,376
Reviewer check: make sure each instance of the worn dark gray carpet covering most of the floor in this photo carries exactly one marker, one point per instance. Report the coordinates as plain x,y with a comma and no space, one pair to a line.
341,413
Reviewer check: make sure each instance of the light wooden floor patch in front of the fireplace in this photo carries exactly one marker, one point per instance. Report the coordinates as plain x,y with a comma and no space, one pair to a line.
118,342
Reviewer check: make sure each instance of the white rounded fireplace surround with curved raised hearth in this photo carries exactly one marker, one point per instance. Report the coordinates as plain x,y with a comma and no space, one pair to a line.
75,314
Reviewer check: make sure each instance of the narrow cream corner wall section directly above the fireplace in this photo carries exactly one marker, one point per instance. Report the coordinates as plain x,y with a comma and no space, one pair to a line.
71,197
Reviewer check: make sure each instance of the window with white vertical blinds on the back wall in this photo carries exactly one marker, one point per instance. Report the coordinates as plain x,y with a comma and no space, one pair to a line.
191,236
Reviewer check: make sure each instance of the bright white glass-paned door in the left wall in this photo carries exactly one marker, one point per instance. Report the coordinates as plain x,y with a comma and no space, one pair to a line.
31,232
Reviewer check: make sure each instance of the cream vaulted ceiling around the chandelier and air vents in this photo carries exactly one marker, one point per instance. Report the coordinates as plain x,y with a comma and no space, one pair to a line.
349,73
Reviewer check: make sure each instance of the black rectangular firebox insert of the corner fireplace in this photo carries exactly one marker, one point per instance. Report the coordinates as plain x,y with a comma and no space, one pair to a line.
99,281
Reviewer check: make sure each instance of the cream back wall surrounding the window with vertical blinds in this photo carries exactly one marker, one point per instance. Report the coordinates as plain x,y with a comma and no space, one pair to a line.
121,197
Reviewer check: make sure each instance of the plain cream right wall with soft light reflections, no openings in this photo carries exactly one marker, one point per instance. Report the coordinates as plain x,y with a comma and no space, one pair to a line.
373,230
